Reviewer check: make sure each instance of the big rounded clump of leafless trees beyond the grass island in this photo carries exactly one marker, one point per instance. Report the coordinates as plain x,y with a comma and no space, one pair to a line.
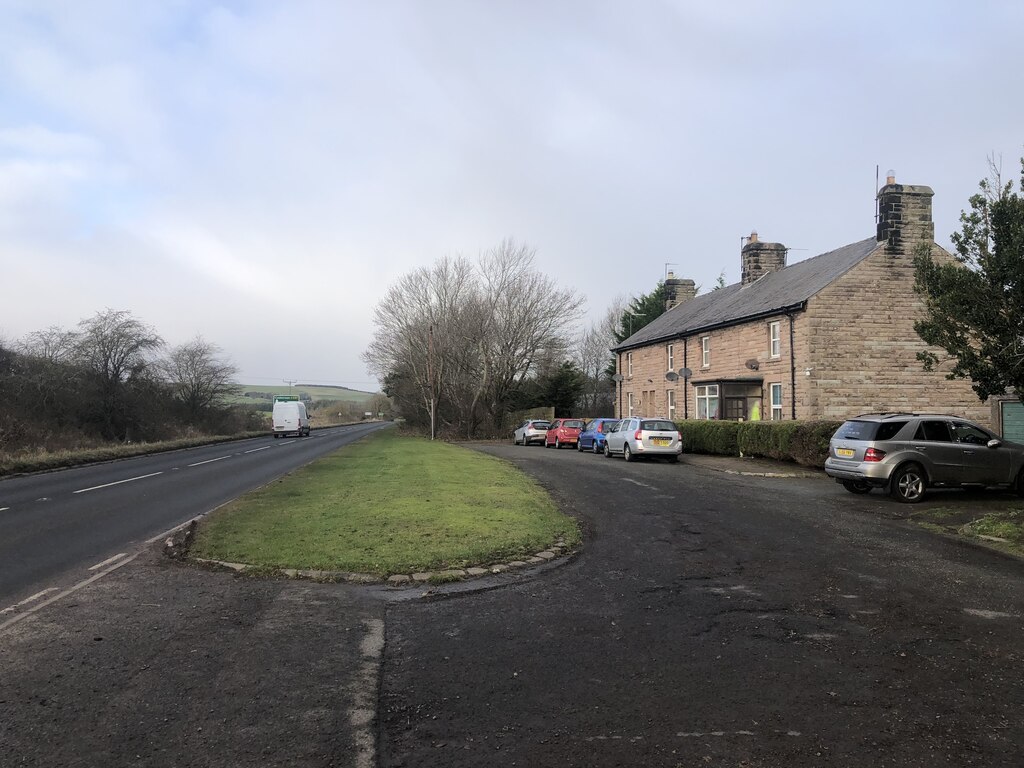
465,336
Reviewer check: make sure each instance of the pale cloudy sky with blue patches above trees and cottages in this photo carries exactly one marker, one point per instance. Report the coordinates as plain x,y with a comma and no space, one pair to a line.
260,174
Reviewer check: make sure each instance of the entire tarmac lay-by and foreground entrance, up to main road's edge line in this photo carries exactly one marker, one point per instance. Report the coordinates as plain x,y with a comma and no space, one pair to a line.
711,620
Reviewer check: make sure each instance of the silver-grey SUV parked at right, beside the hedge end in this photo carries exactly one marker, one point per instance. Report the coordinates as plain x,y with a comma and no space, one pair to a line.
910,453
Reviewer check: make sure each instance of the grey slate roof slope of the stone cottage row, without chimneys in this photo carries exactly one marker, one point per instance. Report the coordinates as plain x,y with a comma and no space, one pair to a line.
787,289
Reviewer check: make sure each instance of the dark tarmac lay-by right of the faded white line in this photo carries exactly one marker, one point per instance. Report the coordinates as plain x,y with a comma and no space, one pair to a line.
716,620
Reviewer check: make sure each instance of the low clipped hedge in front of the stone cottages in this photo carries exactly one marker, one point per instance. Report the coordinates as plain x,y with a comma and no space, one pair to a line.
805,443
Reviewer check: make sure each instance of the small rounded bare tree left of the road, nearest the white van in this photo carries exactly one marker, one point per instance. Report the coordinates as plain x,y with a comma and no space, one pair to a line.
199,376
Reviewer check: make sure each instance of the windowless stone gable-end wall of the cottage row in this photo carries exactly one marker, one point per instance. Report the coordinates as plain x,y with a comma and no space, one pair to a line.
863,348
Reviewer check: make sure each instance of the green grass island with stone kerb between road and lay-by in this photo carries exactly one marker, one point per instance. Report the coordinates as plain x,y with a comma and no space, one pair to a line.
389,504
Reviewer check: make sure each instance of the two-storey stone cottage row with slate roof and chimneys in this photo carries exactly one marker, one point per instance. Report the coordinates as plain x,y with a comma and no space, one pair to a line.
826,338
